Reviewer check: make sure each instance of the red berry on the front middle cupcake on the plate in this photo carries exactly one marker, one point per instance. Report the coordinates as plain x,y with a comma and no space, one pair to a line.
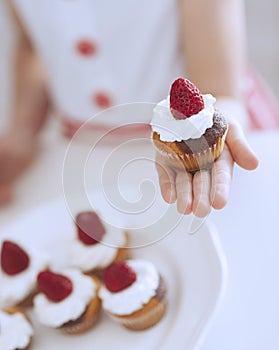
56,287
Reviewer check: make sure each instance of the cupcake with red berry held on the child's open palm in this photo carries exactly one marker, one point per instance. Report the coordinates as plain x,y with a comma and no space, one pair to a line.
187,130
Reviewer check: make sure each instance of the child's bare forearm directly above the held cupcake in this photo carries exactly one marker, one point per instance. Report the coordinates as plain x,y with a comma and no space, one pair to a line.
213,35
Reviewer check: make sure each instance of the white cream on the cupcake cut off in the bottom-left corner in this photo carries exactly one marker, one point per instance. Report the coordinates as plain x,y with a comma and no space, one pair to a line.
15,331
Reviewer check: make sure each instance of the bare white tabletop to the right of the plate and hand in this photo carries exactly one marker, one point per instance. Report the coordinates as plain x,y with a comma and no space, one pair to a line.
248,230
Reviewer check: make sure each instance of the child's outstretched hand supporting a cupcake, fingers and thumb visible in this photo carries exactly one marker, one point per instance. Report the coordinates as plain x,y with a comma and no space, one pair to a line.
205,189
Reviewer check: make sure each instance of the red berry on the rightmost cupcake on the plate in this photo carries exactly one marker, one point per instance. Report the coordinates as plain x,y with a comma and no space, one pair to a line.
118,276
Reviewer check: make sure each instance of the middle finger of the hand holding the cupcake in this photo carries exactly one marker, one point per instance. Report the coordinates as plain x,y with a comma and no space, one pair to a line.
201,190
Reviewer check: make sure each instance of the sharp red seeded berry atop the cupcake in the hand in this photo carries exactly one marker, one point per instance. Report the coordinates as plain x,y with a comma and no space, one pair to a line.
185,99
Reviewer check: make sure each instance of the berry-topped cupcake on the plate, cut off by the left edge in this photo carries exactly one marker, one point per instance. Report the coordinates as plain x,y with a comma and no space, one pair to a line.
19,268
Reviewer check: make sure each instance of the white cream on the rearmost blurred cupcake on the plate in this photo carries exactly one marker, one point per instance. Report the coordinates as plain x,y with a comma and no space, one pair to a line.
99,255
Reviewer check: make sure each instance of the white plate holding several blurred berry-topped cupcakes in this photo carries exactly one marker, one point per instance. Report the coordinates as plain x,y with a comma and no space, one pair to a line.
118,269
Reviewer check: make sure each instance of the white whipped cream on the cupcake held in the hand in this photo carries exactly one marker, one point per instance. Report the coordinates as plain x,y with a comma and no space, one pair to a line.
171,129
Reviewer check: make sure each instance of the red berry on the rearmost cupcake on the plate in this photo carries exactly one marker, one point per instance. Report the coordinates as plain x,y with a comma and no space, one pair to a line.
90,228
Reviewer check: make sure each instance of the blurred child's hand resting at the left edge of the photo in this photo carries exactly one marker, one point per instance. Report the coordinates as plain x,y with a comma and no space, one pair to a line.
17,149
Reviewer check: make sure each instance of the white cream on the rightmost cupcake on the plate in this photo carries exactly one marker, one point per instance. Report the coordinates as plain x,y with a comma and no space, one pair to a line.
135,296
